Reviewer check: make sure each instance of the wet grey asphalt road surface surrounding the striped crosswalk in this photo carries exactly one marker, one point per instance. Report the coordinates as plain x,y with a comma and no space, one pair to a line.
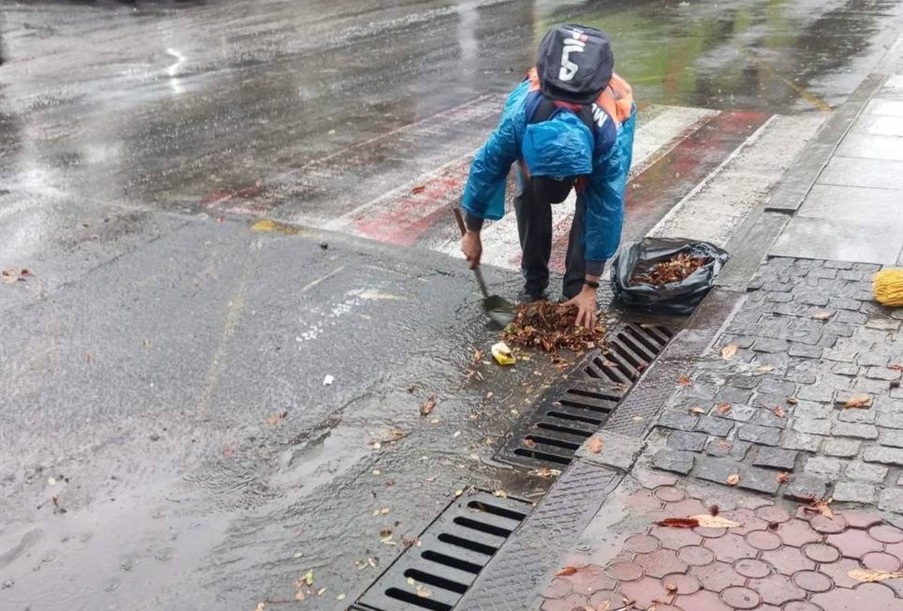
147,362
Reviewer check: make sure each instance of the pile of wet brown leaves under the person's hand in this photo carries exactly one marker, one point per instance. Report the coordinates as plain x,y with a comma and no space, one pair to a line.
550,326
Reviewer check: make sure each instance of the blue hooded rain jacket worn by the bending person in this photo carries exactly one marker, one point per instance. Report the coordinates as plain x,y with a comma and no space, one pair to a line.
555,148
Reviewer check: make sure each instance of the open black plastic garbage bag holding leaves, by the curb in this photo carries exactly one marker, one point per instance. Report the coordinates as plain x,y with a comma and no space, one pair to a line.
671,298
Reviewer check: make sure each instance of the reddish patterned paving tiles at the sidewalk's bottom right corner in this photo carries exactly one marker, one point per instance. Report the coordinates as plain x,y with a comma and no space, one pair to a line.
781,557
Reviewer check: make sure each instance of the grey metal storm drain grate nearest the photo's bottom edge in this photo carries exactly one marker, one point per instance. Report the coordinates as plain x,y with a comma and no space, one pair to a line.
452,552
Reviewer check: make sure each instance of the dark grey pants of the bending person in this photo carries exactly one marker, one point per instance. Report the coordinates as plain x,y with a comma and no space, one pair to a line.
534,226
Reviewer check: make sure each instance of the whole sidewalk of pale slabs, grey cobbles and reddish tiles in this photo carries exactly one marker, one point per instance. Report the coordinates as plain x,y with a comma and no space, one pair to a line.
758,432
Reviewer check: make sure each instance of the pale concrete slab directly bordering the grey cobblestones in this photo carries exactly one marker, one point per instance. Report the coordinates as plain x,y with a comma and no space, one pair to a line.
864,241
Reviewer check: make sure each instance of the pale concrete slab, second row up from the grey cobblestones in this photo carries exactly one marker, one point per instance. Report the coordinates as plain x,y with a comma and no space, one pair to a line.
854,204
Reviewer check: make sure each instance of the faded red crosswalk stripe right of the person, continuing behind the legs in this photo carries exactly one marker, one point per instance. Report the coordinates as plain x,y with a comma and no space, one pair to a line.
651,194
